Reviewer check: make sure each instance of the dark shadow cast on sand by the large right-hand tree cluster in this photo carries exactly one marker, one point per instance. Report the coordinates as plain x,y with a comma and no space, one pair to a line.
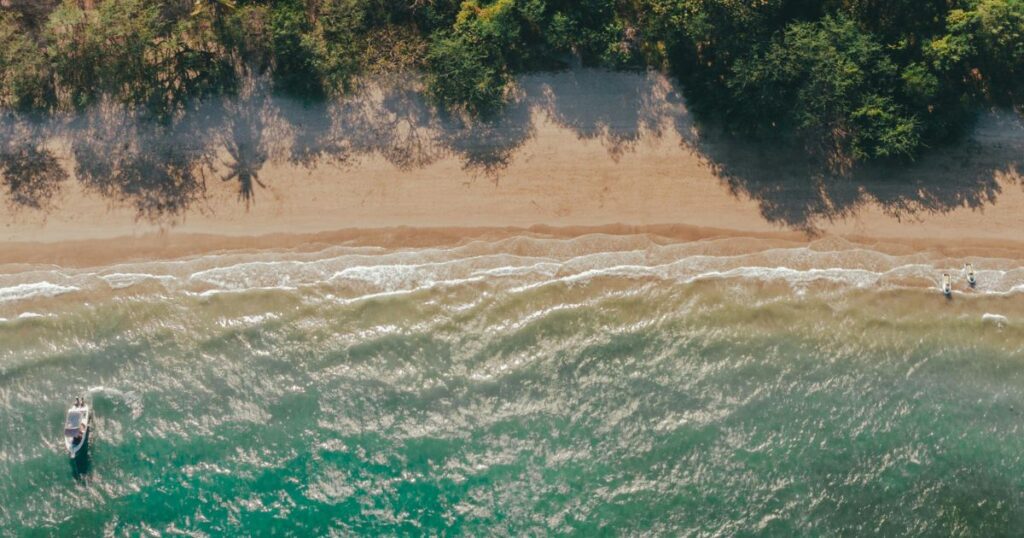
800,194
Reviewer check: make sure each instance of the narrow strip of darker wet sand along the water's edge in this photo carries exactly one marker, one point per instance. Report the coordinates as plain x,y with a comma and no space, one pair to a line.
167,246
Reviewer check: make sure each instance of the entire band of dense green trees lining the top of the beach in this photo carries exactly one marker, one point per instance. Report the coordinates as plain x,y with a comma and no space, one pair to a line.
848,80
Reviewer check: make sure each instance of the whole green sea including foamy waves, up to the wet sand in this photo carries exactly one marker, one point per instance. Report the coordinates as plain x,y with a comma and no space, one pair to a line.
602,386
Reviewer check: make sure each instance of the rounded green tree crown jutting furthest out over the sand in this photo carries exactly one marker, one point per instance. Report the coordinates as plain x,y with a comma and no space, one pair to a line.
829,85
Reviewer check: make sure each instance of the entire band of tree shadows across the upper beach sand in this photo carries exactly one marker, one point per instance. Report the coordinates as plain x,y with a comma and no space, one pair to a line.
161,170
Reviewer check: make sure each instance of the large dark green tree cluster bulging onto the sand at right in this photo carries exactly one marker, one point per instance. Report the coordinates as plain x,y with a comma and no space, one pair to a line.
851,80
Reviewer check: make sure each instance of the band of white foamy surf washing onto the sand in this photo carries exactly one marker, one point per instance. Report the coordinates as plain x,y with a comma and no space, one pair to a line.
529,264
